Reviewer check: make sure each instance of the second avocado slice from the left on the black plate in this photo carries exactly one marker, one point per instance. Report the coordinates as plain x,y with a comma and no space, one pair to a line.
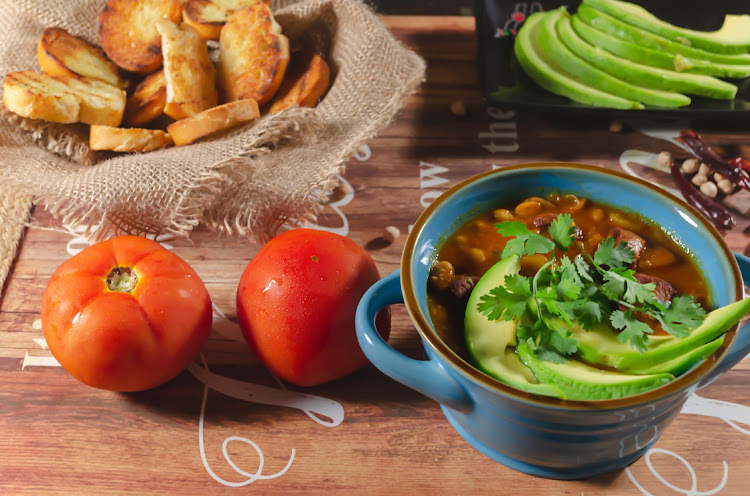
583,71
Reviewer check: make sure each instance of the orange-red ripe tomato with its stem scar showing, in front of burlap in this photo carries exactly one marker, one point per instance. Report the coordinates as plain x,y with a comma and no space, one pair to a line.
125,314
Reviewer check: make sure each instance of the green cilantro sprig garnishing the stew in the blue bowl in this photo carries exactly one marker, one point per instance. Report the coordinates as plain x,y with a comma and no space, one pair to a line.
585,291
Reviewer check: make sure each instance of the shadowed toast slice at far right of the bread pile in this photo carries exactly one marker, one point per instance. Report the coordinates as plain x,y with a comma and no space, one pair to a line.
306,81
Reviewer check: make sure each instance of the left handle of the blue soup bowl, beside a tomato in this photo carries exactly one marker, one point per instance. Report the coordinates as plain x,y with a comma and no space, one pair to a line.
429,377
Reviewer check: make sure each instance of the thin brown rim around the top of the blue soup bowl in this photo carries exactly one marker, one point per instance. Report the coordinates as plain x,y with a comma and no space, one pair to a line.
431,338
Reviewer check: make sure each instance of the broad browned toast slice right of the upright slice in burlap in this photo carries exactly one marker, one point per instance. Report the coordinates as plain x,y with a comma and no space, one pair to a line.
253,55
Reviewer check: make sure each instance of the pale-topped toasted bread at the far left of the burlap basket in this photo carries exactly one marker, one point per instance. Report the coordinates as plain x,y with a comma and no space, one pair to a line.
63,99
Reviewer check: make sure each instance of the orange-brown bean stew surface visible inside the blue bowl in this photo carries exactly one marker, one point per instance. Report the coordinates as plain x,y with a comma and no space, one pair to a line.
476,246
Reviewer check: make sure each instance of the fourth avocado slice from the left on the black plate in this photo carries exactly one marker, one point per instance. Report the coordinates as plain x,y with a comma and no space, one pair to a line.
654,58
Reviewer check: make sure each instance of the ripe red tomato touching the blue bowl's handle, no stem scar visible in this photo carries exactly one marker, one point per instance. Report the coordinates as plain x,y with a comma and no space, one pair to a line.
296,303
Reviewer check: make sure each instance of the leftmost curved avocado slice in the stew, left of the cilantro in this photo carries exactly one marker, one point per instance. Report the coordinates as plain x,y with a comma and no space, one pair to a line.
490,342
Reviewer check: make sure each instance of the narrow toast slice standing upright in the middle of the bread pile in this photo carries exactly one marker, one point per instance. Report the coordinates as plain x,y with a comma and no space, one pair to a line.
188,70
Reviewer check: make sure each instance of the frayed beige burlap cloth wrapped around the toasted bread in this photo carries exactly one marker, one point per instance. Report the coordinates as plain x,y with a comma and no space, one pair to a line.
248,181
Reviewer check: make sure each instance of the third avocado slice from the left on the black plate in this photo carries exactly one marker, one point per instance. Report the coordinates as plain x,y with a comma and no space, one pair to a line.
644,75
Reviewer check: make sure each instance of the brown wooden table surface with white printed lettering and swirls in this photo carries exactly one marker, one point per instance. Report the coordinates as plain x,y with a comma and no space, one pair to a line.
58,436
